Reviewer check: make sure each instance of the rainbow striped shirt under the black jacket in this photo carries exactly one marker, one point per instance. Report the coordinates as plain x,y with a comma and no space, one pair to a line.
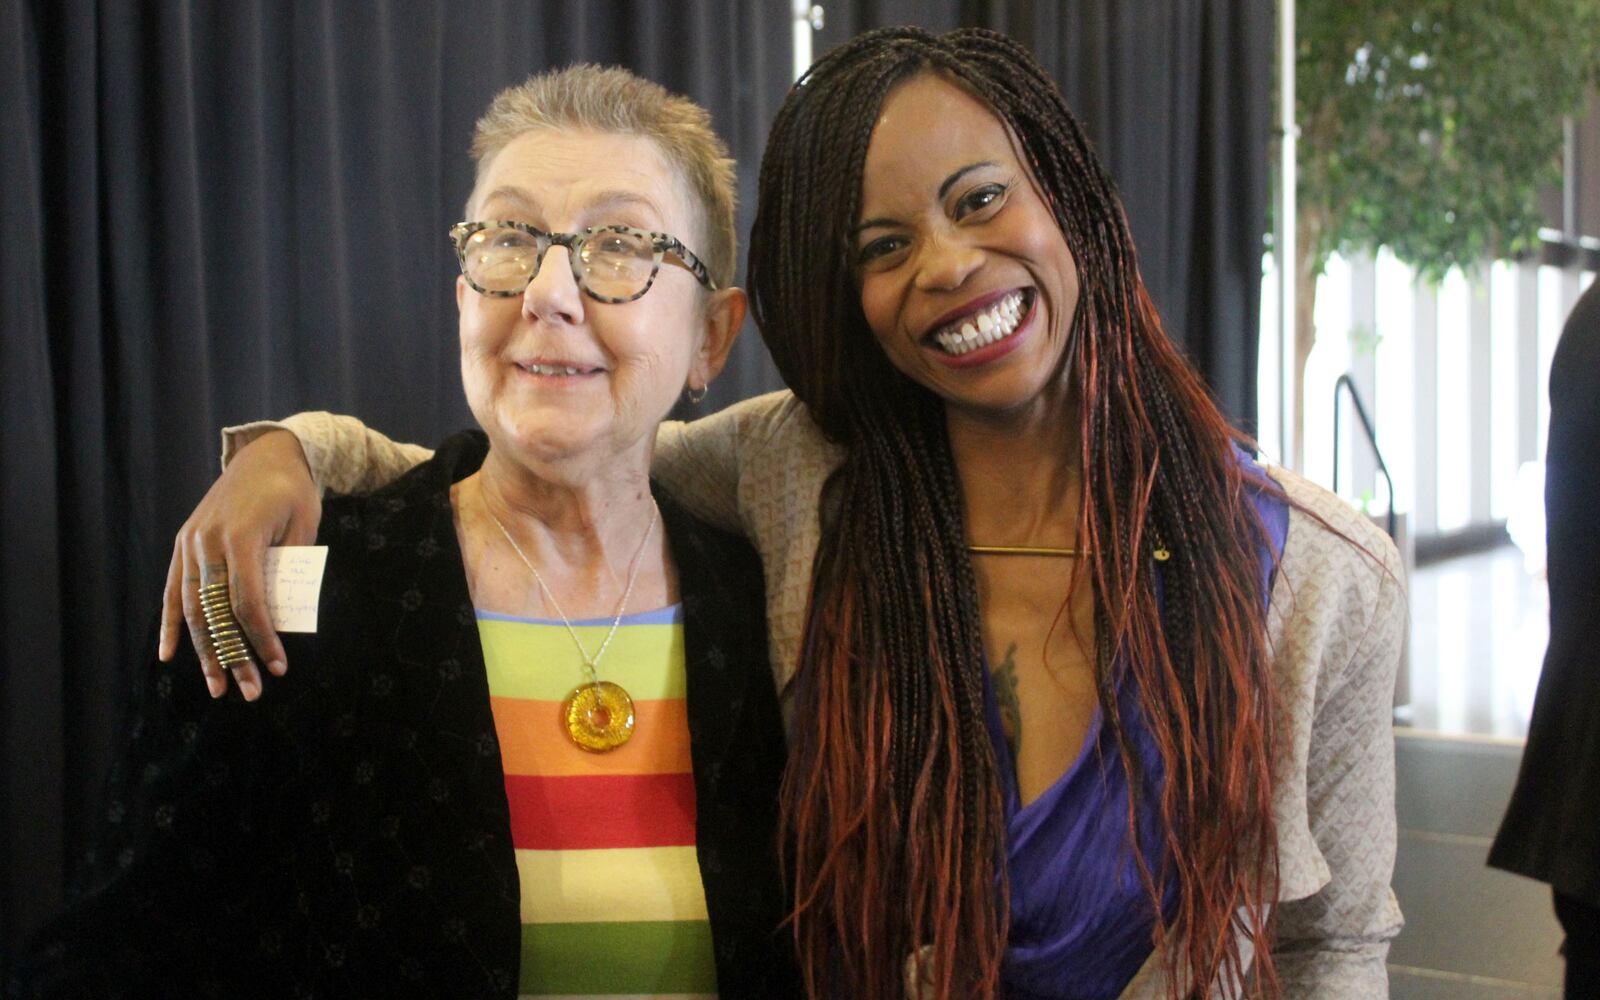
612,897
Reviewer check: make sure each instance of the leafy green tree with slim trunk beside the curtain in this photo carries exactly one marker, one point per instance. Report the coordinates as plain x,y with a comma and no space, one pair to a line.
1430,127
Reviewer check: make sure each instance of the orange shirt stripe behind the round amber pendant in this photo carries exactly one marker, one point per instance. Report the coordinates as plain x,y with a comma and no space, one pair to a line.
534,742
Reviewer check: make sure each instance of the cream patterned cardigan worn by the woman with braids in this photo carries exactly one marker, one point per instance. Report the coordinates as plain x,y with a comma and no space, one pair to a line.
1335,623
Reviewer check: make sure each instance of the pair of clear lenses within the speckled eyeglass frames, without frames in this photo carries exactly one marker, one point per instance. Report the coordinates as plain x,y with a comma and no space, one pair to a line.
614,265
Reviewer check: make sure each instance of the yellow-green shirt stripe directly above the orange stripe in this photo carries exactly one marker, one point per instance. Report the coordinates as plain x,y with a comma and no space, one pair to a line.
540,663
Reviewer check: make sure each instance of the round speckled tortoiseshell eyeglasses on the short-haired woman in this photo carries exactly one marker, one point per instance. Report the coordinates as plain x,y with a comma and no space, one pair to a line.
610,263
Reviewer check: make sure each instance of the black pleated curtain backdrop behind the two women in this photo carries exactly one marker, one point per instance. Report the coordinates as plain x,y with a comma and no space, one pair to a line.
217,212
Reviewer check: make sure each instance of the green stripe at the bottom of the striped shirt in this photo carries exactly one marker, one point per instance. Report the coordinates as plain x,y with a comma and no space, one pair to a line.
657,958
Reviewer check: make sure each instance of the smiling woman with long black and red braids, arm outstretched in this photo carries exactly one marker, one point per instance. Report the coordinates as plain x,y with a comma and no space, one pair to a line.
1084,703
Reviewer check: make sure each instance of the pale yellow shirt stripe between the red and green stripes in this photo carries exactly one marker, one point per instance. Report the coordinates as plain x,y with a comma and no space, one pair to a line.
601,887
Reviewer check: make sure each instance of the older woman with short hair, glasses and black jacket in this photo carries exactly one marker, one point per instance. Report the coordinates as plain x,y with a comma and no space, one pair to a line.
534,746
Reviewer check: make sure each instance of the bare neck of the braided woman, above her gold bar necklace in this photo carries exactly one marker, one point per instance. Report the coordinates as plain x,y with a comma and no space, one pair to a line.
1020,478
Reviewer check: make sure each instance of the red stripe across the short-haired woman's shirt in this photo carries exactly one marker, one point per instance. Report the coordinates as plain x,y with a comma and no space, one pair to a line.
598,812
